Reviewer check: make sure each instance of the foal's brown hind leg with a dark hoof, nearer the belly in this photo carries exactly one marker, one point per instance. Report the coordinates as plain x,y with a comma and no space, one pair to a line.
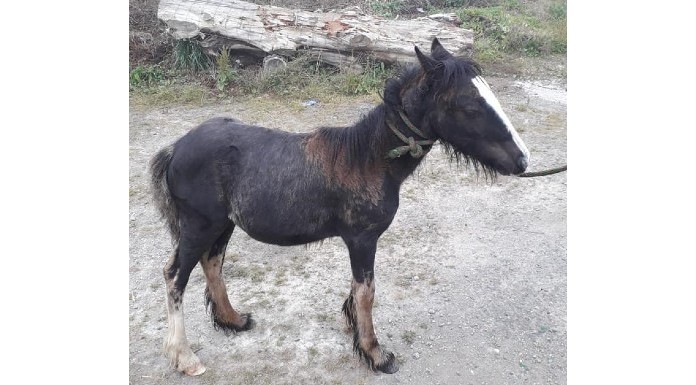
221,311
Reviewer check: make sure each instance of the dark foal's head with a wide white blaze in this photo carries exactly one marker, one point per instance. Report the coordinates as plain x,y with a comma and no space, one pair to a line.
458,107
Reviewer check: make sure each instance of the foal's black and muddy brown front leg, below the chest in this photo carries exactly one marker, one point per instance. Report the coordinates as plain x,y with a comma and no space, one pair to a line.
358,307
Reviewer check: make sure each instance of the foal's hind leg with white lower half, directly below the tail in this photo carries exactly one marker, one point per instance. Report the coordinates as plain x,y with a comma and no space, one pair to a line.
193,247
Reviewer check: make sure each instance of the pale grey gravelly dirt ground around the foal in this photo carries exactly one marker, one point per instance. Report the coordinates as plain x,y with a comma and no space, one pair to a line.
470,277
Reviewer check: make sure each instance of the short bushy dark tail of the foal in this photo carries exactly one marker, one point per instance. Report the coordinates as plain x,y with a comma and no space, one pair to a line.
160,190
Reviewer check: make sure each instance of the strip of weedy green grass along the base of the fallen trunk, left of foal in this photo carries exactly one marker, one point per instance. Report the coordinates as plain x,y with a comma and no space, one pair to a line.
207,80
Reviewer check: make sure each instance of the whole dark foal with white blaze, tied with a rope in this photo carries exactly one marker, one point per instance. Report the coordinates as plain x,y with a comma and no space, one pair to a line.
288,188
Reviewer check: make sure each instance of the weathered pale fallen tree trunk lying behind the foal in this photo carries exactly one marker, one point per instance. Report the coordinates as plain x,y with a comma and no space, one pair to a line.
339,38
